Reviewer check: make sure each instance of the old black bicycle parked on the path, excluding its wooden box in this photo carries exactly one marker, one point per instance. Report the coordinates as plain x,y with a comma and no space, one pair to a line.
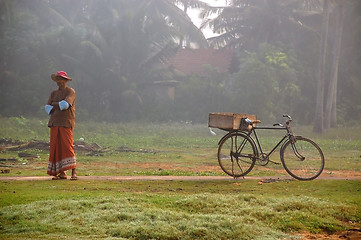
238,151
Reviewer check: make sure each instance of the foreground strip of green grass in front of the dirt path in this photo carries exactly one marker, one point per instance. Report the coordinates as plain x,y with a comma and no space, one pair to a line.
176,209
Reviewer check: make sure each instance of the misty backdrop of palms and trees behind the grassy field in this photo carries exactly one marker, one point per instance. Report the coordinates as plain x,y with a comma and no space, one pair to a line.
289,56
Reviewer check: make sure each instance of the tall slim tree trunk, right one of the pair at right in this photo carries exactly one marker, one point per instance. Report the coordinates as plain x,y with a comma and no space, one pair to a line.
330,113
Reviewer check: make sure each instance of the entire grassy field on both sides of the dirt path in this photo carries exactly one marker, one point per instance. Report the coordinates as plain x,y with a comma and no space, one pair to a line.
230,209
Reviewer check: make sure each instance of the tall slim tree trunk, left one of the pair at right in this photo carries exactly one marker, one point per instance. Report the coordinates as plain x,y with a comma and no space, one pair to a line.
318,124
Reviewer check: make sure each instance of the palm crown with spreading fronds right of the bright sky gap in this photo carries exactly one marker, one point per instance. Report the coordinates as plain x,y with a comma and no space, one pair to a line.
246,24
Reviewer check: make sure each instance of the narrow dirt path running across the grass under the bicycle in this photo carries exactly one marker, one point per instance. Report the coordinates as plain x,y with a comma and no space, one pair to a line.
164,178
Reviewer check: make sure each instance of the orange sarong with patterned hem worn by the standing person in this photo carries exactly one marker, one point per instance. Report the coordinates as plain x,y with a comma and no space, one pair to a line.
62,156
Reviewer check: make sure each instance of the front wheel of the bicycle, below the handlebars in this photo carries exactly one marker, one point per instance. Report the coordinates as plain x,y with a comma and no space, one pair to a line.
303,159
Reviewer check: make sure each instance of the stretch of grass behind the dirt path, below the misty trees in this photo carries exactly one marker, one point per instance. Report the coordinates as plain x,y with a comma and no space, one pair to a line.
167,148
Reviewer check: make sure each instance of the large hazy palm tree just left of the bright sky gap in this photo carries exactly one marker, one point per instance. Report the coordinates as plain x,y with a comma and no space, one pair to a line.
130,39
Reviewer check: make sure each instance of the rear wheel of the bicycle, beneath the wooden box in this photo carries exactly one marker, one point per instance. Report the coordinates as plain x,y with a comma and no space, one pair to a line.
237,154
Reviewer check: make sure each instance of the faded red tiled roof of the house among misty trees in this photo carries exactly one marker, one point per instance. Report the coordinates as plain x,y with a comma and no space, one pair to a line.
192,61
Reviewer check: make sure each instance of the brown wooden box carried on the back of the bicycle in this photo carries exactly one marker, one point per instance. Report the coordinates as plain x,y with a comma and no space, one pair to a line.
229,121
